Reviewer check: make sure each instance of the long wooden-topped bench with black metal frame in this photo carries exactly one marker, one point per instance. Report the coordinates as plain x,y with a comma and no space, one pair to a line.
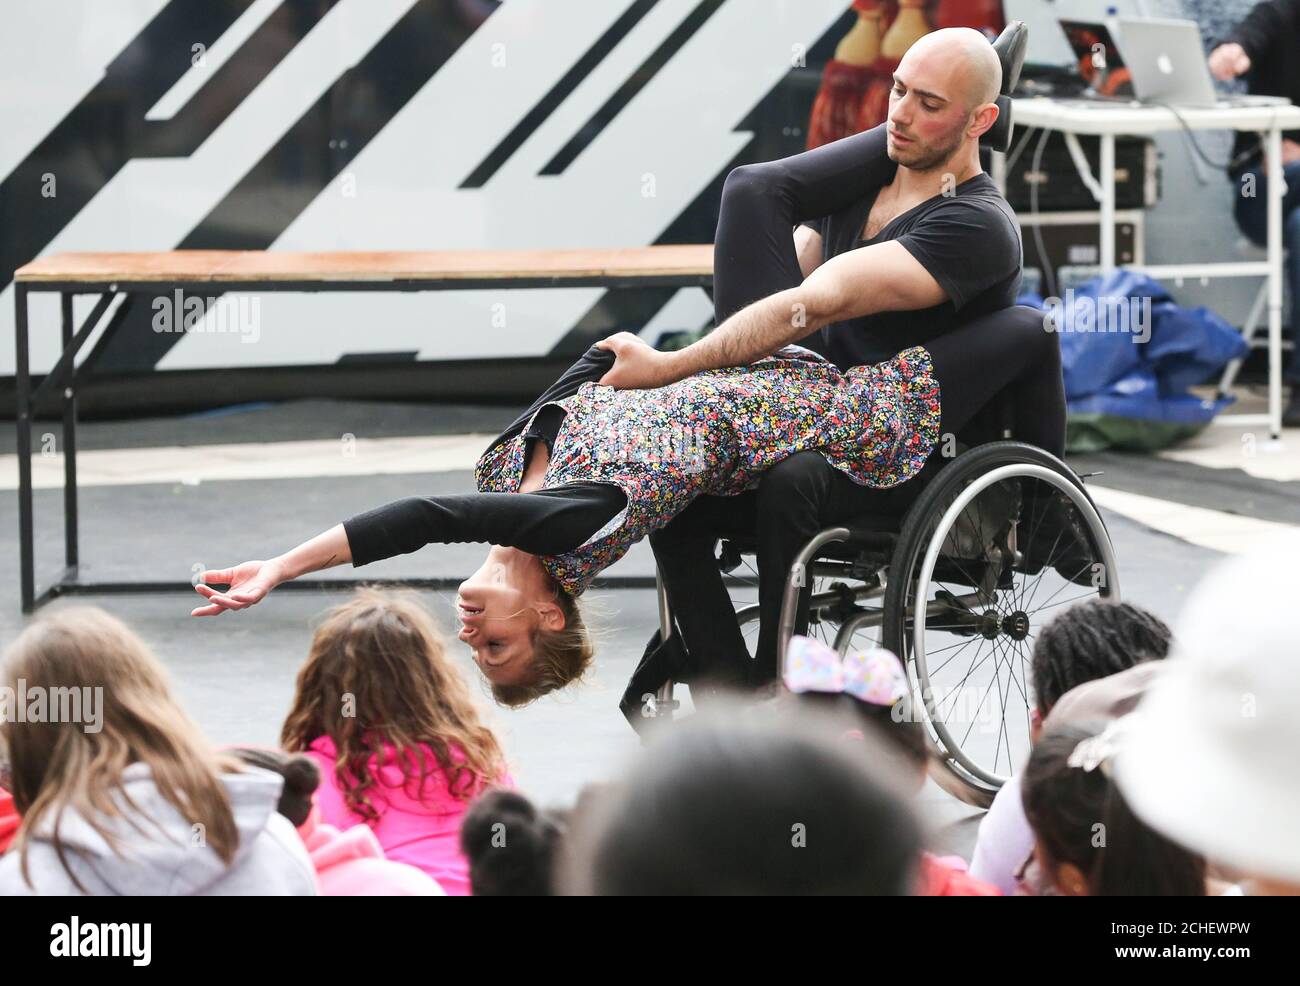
111,275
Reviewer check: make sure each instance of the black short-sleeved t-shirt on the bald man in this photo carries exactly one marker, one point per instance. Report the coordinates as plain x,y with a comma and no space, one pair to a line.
969,243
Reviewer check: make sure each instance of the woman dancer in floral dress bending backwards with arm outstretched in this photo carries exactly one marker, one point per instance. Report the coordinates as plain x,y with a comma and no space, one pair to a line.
591,470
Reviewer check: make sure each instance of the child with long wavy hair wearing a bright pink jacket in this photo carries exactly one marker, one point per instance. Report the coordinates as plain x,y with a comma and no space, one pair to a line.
400,742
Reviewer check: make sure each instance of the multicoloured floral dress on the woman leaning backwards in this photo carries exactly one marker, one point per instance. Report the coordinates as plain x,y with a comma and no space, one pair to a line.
718,433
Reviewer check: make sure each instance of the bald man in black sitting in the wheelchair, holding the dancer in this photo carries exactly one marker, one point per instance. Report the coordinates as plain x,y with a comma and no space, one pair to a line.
903,239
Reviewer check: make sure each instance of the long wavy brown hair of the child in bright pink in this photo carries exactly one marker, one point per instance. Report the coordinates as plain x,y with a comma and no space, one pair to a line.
379,676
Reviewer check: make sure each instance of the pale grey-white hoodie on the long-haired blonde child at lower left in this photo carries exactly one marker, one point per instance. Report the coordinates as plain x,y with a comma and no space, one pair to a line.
163,855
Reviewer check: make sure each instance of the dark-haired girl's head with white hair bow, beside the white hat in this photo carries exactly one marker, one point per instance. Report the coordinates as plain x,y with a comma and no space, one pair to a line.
1087,841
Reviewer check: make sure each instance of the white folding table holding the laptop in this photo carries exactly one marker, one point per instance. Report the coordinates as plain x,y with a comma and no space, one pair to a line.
1107,120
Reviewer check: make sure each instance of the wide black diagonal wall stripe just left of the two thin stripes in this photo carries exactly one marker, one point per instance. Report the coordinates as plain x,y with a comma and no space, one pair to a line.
306,159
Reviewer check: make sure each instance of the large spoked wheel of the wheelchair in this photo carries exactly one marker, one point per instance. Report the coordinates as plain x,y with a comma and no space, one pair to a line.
1002,540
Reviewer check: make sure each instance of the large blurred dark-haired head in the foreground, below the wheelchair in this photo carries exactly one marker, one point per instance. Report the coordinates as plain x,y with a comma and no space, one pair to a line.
747,806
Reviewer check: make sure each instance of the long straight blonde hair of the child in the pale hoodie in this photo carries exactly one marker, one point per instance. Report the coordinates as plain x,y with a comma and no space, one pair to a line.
55,767
